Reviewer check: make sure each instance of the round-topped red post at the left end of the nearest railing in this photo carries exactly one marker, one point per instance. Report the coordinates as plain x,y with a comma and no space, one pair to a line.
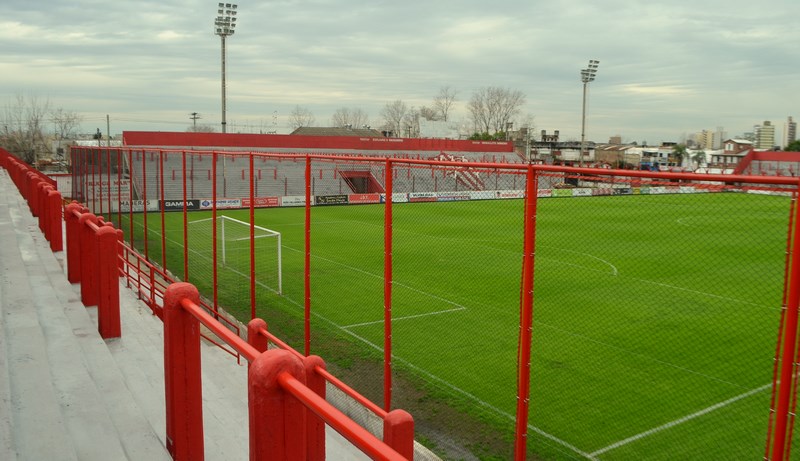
182,380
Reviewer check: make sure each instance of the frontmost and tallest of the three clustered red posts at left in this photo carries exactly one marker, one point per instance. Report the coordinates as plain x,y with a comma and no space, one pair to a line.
108,283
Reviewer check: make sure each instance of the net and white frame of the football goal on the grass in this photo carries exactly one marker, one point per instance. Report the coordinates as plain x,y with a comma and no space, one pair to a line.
234,252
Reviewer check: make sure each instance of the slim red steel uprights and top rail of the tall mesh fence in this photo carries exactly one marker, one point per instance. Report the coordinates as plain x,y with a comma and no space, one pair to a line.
788,347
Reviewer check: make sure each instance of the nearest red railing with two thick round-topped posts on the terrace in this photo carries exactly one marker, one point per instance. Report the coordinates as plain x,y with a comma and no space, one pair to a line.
281,392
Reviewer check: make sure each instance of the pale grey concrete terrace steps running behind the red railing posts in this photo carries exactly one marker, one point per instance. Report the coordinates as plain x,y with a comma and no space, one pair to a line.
67,394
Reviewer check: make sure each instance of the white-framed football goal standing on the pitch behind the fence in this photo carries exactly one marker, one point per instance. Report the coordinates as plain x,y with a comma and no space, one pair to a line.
233,249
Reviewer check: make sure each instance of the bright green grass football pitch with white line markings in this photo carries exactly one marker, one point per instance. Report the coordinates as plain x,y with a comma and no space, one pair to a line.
655,317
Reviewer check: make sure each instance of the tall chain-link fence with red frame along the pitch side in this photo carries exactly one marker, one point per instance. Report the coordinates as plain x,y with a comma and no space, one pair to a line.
512,309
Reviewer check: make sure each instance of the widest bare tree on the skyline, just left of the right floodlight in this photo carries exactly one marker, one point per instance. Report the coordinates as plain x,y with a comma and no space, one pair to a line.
492,108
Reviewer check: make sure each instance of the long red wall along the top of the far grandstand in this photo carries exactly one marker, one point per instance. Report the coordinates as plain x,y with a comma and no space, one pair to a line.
282,141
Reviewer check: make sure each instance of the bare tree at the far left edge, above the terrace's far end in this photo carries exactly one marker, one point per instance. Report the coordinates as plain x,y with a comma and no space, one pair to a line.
23,128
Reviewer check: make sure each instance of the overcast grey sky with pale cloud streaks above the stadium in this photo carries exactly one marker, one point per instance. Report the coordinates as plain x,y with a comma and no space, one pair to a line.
667,68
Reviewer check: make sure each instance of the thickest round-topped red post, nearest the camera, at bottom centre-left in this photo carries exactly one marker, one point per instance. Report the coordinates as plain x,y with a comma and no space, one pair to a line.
272,410
